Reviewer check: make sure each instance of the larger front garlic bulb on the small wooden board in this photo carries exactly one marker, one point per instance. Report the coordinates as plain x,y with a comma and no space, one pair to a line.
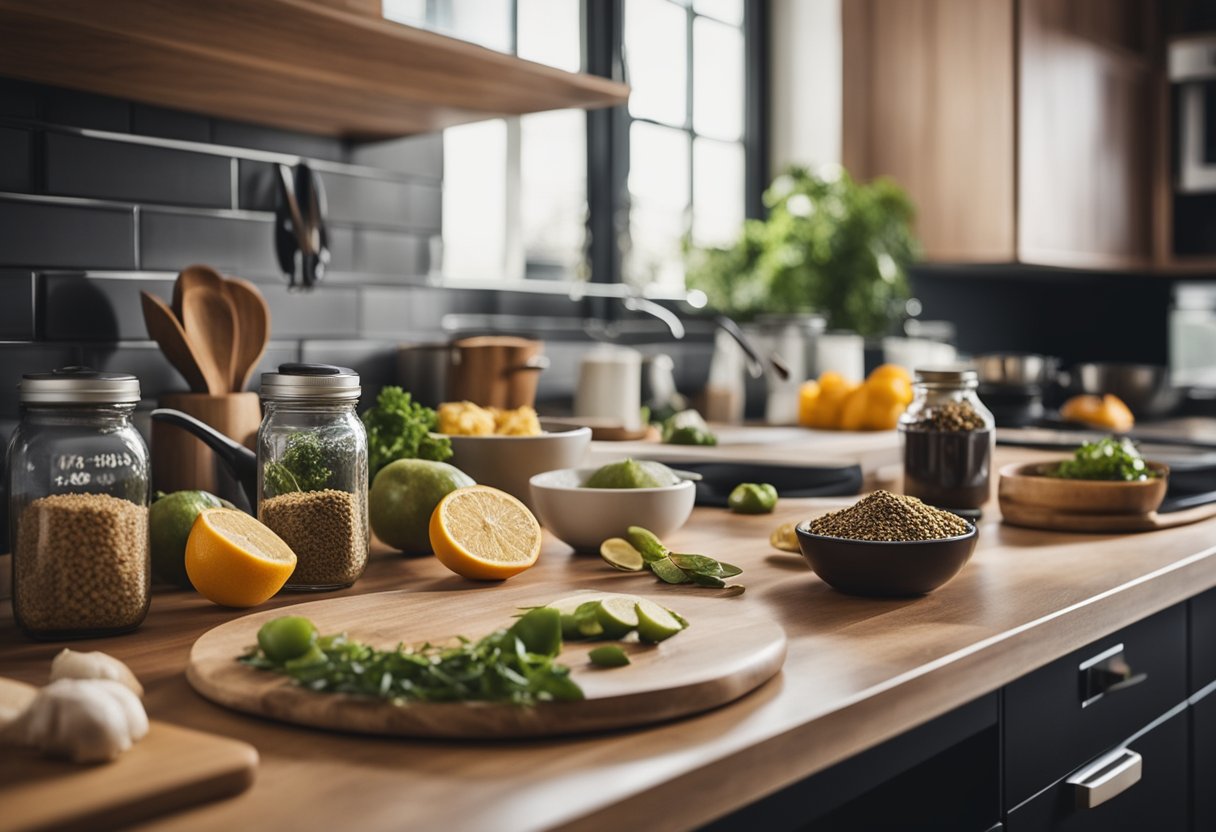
88,721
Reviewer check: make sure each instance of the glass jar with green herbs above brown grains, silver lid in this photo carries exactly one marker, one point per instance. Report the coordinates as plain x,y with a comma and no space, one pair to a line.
313,473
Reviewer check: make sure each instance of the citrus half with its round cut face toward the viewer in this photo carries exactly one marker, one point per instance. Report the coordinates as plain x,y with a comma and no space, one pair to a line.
486,535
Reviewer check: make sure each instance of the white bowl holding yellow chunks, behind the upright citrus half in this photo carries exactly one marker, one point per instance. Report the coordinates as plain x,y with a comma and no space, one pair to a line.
509,463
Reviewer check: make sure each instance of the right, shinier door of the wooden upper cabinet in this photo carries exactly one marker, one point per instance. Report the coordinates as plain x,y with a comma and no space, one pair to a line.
1084,133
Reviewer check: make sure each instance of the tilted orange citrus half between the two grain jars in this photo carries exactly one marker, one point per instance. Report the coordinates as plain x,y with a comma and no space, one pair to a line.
234,560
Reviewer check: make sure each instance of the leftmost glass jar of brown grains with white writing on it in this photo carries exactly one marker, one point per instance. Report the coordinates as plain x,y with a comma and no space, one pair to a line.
78,507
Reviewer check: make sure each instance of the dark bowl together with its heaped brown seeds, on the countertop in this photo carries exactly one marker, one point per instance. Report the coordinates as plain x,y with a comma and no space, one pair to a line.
887,546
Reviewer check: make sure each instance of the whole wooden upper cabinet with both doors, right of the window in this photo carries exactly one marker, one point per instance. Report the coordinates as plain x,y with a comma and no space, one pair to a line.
1020,128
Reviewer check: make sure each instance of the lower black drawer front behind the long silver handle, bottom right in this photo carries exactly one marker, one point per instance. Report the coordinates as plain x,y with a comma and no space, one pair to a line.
1157,802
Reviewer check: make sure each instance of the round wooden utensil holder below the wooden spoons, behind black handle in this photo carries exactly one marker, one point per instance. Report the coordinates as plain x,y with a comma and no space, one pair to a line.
181,462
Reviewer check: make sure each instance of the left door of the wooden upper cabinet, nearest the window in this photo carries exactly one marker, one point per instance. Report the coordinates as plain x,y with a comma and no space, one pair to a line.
928,100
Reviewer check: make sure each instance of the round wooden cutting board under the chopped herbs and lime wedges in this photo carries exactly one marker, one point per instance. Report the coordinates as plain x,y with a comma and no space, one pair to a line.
728,651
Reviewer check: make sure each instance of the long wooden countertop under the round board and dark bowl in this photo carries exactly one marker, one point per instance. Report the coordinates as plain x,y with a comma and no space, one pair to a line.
859,673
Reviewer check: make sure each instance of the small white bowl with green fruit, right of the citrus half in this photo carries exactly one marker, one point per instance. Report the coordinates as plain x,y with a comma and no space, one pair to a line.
586,518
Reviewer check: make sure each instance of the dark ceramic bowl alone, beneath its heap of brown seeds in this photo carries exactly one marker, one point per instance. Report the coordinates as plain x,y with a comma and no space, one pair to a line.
883,569
